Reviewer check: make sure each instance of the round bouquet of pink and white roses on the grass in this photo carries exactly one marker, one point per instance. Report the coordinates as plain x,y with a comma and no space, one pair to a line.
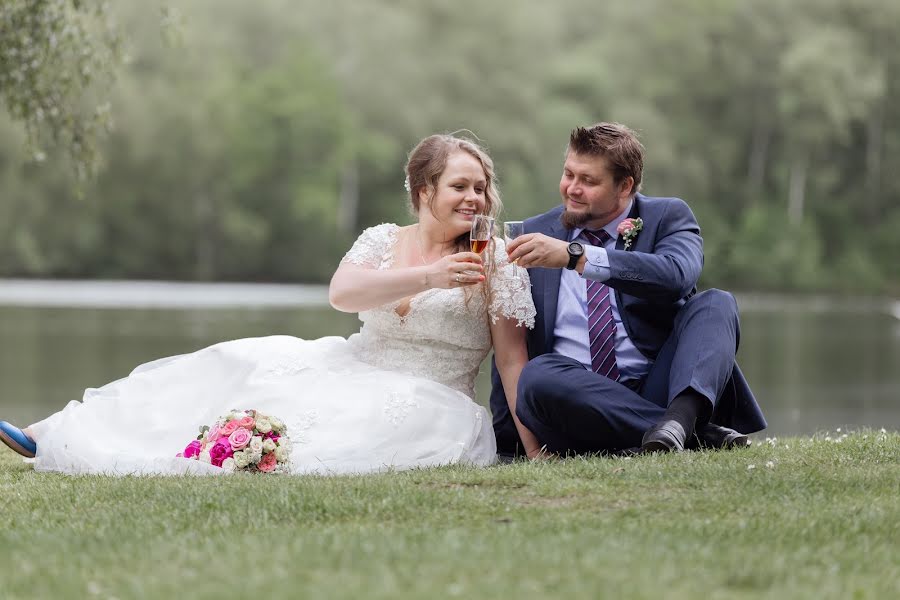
243,440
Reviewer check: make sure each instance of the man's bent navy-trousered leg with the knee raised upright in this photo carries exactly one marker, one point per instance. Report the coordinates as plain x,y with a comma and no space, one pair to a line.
698,357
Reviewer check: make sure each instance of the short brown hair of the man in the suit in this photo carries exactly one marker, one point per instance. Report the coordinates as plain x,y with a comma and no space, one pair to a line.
615,142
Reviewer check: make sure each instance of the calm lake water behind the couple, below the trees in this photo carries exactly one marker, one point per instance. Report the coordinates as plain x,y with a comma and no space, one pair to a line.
814,364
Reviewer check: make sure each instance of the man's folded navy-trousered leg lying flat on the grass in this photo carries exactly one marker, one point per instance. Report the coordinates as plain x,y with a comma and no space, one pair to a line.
570,408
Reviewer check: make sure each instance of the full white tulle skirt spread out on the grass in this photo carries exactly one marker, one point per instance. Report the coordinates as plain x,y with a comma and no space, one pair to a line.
343,415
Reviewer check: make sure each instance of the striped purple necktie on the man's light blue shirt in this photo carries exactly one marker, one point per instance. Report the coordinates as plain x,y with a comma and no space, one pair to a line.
601,324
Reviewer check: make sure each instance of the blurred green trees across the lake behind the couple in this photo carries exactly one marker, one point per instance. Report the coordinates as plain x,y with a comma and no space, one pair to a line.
254,142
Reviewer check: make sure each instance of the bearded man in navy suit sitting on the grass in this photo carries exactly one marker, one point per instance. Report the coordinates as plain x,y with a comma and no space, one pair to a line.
625,352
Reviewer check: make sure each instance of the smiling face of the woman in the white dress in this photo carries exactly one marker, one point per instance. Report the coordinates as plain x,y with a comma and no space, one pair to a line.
459,195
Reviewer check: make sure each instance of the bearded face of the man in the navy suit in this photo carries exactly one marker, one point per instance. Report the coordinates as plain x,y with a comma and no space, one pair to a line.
589,193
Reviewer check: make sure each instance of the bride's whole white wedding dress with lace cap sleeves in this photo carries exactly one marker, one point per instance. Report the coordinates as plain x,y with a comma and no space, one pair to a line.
396,395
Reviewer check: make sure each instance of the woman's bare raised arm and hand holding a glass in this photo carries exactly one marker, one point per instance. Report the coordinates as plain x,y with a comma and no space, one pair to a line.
355,288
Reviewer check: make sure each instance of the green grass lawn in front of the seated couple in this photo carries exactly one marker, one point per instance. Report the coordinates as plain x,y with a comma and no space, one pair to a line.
796,518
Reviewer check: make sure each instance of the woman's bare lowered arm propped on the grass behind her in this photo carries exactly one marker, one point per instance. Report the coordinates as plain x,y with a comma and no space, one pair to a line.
510,356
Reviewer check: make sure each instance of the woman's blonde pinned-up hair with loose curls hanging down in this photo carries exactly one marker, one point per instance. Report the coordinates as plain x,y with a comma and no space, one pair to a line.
424,167
